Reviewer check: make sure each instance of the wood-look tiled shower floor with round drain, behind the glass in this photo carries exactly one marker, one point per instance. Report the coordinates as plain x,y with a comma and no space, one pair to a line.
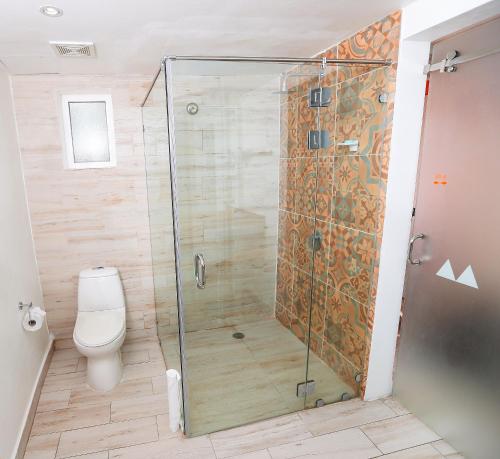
233,382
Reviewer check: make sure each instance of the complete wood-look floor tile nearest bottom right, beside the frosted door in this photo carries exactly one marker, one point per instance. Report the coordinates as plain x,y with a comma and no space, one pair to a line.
399,433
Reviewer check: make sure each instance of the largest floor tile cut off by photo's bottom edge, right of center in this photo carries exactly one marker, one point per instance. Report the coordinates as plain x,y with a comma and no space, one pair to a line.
346,444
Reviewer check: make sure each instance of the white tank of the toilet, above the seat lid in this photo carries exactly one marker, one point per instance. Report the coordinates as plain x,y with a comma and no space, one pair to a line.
100,288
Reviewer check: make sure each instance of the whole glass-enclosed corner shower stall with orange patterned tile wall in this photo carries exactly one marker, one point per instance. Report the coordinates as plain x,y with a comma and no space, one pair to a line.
250,200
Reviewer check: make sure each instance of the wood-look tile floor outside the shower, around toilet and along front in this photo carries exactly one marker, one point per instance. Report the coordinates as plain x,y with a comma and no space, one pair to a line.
131,422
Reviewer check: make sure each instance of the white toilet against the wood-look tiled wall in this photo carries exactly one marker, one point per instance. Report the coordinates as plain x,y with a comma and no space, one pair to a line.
100,325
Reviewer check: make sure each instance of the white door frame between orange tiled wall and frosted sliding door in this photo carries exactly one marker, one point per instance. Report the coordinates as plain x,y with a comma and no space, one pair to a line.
423,22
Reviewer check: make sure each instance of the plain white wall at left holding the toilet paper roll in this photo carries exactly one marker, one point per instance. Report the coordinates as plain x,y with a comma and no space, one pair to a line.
21,353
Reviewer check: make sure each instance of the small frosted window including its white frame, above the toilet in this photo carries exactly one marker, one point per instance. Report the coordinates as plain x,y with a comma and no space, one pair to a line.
88,129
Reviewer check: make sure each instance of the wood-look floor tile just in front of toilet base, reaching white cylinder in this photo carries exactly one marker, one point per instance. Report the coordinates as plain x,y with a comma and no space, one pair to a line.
139,407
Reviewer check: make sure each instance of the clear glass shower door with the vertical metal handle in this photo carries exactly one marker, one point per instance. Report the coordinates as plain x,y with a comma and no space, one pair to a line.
243,364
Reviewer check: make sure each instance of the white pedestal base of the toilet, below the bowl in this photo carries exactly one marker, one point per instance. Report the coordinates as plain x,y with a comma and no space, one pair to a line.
104,373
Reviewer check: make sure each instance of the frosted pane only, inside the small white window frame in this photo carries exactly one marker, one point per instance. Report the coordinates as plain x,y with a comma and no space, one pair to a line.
89,132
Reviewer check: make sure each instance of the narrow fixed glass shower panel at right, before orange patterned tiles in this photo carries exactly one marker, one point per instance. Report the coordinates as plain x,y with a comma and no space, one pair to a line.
350,193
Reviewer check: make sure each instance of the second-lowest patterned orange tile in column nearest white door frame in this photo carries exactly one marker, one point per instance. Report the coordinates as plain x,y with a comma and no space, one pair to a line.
346,326
